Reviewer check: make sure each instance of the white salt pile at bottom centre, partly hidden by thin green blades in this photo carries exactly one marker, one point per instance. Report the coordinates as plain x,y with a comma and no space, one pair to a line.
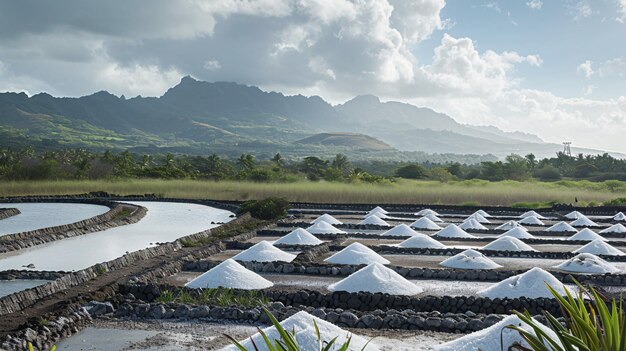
304,326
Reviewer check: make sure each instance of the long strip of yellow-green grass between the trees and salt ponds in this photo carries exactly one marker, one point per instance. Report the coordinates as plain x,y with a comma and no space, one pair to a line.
404,191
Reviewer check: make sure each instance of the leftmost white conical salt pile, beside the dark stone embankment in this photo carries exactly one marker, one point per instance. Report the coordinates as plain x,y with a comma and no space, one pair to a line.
232,275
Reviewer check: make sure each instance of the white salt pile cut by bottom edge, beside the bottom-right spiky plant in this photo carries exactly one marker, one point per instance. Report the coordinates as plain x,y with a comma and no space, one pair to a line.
496,337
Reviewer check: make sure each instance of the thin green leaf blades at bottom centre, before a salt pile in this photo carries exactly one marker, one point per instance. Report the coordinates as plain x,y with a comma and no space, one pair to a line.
288,342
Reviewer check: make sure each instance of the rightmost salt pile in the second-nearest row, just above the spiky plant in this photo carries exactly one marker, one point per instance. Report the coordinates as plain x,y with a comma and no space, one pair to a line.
531,284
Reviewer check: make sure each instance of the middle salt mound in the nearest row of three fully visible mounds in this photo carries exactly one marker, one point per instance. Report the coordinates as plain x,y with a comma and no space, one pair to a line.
376,278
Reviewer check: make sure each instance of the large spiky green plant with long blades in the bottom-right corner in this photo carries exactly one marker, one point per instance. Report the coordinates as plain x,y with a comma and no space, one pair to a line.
589,326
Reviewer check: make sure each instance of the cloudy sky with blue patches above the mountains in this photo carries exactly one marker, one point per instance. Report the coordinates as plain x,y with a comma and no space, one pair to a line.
556,69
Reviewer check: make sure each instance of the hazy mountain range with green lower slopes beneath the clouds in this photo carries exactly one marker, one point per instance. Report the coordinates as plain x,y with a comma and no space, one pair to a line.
201,117
